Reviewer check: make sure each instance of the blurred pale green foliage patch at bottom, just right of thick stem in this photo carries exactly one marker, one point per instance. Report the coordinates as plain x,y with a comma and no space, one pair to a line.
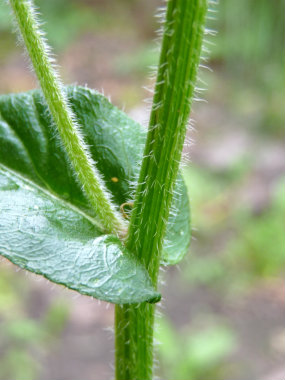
207,344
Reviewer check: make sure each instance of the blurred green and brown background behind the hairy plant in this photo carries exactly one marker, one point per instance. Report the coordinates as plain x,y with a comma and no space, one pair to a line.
223,313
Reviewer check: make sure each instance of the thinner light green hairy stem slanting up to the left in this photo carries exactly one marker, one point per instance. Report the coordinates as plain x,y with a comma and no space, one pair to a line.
69,131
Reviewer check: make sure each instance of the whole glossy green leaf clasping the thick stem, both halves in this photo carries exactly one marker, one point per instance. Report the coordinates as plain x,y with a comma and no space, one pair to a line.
31,152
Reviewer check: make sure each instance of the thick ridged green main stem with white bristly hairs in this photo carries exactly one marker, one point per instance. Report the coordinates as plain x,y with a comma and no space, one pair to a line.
178,66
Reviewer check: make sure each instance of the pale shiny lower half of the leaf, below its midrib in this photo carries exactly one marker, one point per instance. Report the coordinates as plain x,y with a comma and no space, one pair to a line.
46,236
